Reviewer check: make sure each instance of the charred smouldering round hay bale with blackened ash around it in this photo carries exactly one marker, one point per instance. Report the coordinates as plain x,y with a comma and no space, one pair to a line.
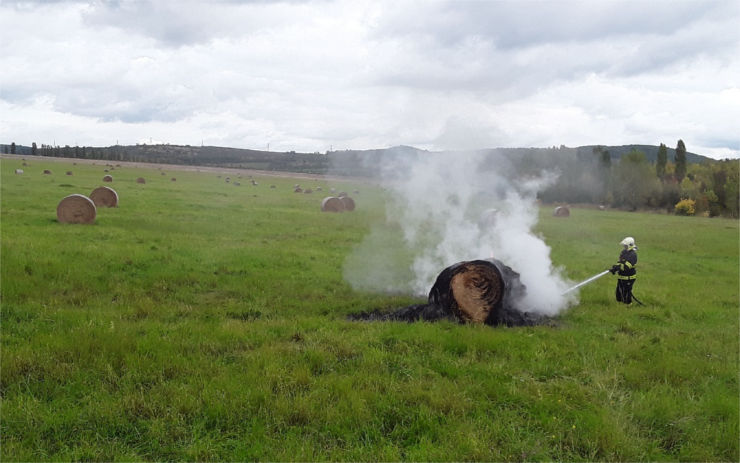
478,291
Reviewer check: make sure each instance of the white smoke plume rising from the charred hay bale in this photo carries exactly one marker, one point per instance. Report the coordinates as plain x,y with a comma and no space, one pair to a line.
451,207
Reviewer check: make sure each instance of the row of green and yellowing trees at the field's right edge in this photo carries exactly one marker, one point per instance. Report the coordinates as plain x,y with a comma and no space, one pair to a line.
632,183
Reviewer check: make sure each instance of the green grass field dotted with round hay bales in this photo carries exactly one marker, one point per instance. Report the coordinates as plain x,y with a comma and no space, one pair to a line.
206,321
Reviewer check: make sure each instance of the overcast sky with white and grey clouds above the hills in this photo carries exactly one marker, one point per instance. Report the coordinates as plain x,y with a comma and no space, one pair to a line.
318,75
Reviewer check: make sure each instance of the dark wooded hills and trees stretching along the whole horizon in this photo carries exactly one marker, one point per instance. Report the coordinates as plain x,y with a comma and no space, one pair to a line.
628,179
